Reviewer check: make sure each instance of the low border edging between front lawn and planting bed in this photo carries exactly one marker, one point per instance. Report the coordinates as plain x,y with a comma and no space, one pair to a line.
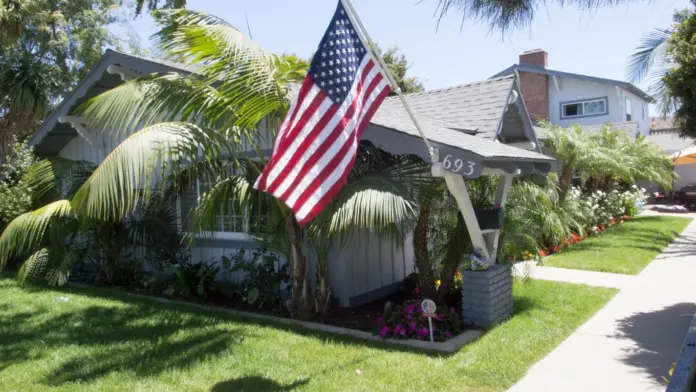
449,346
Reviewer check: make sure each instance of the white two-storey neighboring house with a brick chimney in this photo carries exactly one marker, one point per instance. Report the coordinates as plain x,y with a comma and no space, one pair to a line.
566,99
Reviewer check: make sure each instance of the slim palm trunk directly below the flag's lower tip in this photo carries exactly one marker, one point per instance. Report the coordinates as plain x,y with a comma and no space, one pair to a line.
301,291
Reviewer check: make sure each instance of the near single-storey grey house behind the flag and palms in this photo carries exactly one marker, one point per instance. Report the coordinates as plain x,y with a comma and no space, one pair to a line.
480,123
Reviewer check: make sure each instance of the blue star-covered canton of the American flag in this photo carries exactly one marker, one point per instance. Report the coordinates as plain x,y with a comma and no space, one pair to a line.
335,65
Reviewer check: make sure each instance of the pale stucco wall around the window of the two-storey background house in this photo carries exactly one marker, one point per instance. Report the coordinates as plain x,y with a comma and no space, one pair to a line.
571,89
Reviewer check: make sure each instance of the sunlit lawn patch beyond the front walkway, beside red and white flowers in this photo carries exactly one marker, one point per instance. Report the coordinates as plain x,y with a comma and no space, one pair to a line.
626,248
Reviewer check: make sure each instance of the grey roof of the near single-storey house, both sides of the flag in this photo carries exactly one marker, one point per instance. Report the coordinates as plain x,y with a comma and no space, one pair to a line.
467,117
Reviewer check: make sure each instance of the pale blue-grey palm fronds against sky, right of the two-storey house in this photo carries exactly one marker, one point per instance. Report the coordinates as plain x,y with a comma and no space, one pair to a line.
651,62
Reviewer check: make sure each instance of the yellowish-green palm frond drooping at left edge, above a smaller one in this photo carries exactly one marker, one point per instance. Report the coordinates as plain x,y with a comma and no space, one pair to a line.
26,232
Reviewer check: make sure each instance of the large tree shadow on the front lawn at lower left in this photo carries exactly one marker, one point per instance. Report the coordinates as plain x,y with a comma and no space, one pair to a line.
134,338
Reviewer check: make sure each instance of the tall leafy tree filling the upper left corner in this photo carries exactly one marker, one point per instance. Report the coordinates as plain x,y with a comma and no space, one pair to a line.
47,46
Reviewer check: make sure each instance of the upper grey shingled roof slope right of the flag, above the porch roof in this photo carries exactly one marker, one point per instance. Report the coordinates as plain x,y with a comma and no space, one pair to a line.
476,107
